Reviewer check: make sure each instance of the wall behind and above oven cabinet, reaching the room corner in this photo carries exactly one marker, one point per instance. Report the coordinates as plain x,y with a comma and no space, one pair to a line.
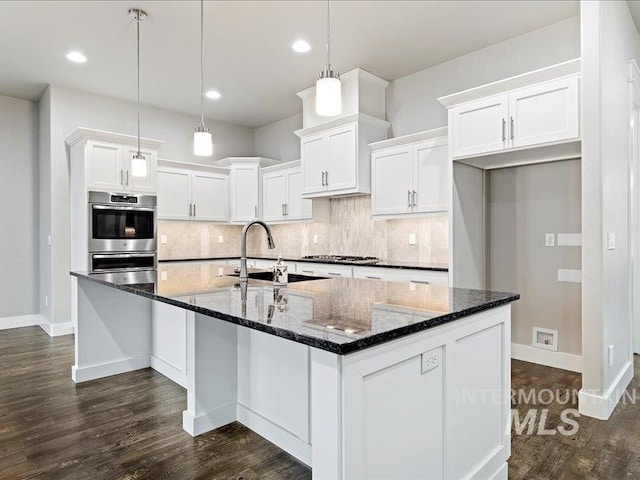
70,109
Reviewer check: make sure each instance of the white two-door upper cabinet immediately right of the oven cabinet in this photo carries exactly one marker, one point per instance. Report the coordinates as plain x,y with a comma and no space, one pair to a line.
192,192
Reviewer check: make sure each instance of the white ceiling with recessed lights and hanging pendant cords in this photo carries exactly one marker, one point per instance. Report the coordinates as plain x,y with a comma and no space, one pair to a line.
248,54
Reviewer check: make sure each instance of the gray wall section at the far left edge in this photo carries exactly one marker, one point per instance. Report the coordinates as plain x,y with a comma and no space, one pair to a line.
19,200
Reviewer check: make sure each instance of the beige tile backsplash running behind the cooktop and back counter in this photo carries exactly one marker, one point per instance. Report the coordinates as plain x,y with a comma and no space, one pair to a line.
350,231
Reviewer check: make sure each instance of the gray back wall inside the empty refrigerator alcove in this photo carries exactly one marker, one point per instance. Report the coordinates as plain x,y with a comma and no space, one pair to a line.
525,203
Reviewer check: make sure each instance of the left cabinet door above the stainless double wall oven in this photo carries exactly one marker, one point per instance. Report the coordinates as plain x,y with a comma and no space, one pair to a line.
105,168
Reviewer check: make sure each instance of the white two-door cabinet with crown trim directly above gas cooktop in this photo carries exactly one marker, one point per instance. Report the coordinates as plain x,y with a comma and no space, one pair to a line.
335,155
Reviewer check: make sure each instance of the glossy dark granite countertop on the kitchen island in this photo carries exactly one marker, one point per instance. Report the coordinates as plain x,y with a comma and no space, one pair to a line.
340,315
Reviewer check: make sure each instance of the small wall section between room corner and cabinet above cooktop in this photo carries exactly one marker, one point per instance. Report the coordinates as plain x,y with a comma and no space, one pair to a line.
277,139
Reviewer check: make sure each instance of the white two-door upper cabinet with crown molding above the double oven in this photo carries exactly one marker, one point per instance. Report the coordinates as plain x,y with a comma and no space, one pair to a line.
104,161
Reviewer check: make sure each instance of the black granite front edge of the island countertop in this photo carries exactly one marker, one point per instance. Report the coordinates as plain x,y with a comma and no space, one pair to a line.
322,344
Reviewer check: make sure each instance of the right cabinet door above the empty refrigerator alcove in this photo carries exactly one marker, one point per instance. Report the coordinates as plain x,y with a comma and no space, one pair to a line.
545,113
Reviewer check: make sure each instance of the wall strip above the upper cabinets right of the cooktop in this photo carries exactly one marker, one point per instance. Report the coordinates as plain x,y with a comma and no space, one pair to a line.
412,104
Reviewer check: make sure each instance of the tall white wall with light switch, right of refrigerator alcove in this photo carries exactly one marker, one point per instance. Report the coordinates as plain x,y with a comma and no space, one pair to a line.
609,41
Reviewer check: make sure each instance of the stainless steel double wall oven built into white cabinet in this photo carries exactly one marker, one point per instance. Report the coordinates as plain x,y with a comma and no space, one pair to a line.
122,232
